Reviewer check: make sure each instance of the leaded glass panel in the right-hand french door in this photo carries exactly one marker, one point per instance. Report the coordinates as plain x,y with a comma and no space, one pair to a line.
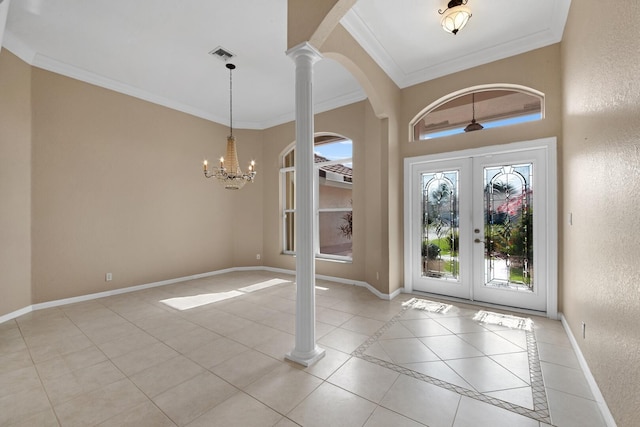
508,226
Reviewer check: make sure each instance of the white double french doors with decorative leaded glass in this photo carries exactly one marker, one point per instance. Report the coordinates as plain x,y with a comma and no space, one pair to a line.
479,226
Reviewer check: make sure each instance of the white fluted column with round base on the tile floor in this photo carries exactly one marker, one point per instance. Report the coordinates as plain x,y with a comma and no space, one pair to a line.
305,352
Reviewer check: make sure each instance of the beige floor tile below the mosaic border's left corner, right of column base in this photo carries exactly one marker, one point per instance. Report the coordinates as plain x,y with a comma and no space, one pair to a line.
364,379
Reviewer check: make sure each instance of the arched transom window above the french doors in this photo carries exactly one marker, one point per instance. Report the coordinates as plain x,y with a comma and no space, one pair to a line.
491,107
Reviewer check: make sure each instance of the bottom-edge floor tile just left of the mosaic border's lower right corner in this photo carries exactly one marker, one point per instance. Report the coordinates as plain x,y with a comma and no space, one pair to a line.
473,413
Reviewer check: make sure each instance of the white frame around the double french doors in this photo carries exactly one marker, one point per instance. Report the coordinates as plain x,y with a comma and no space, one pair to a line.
551,230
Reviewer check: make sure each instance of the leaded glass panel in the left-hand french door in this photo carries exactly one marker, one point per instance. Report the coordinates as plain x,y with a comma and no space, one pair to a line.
440,233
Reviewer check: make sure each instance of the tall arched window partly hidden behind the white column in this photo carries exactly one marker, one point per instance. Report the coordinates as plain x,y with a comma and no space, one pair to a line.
333,204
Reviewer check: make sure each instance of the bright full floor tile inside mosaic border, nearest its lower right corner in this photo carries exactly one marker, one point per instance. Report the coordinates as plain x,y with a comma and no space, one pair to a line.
484,374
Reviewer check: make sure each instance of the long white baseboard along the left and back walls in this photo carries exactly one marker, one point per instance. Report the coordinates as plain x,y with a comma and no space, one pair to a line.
88,297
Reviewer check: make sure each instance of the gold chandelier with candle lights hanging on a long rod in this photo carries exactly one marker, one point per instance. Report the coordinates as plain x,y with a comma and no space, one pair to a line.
229,173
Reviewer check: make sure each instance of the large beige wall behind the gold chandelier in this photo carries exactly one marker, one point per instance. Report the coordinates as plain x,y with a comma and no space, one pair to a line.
118,187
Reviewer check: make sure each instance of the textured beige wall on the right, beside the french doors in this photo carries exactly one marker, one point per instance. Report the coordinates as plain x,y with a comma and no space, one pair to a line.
601,114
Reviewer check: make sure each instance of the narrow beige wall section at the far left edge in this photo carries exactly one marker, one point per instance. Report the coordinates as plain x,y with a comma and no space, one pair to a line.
15,183
